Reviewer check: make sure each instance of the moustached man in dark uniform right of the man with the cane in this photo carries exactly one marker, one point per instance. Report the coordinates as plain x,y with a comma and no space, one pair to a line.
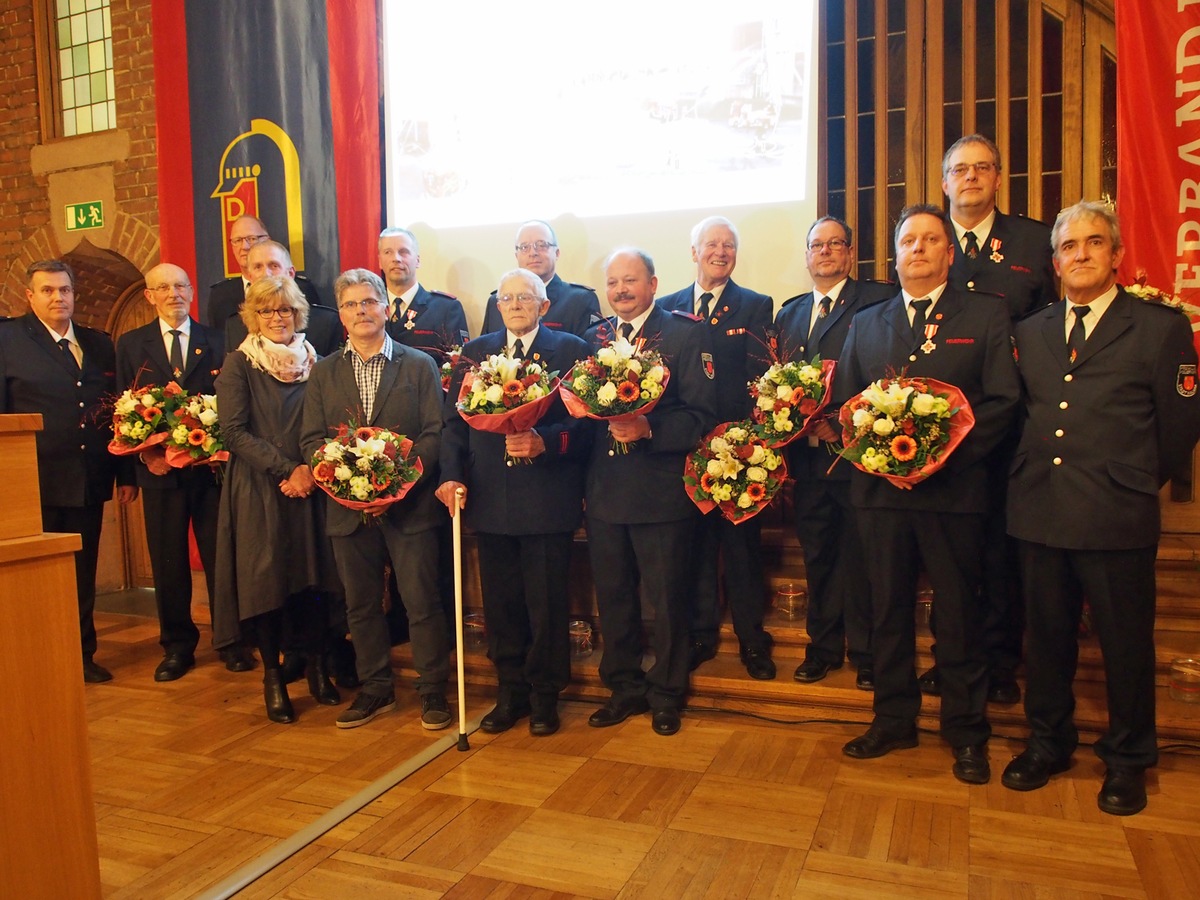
641,523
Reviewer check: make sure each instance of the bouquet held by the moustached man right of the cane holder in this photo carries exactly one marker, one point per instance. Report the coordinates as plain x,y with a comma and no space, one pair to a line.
620,382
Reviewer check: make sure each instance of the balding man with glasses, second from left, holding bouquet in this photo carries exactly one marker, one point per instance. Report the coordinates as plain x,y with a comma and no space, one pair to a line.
177,349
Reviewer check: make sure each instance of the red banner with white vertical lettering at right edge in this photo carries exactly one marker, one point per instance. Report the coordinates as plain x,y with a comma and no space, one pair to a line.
1159,146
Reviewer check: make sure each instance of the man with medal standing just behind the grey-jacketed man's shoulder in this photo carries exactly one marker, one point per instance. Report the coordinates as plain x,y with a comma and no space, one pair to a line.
430,321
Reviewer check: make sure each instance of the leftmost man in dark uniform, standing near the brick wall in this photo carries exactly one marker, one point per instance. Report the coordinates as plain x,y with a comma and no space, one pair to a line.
67,373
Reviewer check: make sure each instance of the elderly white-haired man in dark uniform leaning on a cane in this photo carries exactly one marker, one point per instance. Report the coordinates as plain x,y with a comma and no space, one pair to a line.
524,517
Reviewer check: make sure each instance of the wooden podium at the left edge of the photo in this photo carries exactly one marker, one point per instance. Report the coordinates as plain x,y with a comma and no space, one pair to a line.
47,815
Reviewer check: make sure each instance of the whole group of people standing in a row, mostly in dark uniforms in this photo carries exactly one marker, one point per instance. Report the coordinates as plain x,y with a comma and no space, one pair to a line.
1083,410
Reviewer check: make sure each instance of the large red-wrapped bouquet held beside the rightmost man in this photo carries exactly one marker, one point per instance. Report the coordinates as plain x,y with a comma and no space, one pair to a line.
904,429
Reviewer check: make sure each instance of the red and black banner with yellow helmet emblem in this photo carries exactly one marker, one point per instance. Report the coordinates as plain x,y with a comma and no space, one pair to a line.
269,109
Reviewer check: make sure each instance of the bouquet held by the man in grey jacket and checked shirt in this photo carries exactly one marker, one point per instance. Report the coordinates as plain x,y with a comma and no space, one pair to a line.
367,469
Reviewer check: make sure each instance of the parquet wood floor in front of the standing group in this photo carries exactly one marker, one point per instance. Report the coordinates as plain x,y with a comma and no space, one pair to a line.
194,783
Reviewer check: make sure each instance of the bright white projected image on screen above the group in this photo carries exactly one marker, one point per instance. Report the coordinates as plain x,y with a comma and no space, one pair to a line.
620,109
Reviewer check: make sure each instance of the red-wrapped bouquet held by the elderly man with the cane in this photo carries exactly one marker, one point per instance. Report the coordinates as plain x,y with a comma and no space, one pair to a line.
505,395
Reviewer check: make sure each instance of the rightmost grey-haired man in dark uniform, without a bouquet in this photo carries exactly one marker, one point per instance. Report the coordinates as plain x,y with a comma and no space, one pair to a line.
1111,412
